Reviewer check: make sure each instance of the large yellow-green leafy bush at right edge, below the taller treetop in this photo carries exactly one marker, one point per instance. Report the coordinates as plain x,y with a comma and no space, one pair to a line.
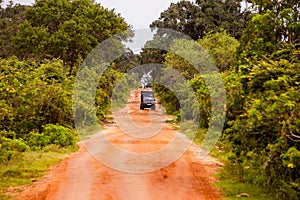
265,135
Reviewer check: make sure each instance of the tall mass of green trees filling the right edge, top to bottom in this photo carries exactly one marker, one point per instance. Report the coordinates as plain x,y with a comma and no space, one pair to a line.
264,130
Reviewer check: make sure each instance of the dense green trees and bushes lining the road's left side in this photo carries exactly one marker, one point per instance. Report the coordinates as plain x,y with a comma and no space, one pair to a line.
40,46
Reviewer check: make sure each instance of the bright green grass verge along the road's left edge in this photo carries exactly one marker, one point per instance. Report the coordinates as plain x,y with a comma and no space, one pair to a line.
29,166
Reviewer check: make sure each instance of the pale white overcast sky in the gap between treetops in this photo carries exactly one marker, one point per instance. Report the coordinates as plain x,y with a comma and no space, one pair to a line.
139,13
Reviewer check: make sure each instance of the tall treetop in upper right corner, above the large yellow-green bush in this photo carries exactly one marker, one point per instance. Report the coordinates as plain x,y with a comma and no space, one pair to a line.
273,28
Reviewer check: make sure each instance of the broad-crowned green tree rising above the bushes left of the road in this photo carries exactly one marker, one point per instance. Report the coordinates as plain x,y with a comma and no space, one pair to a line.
65,29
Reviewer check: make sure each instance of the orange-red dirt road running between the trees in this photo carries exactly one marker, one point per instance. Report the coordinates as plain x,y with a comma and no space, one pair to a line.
88,174
